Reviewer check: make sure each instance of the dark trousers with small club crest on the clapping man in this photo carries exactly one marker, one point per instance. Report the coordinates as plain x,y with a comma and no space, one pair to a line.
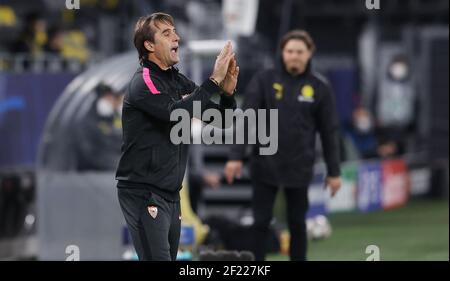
154,223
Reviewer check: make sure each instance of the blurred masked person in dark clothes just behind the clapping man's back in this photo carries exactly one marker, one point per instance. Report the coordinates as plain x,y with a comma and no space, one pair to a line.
99,133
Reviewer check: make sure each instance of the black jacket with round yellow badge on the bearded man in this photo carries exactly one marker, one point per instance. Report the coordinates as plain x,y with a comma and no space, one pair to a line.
306,107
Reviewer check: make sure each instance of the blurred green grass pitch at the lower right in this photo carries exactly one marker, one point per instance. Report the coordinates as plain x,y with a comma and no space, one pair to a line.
418,231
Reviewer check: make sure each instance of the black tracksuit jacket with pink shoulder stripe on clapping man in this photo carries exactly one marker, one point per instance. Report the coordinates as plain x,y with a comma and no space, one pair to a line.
149,159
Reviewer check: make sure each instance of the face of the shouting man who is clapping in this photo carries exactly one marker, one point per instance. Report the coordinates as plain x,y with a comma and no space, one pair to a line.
164,51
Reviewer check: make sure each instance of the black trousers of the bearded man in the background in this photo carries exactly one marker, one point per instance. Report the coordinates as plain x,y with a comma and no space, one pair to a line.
297,205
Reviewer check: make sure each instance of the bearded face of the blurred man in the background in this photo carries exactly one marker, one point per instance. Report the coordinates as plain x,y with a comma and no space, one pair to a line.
296,56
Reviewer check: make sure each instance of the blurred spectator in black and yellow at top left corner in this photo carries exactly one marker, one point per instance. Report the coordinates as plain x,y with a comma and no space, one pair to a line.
33,37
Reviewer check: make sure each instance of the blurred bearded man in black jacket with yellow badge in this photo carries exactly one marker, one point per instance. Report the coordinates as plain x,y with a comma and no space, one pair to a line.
306,107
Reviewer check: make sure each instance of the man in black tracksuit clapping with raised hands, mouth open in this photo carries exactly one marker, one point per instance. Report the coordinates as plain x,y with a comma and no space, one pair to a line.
151,168
